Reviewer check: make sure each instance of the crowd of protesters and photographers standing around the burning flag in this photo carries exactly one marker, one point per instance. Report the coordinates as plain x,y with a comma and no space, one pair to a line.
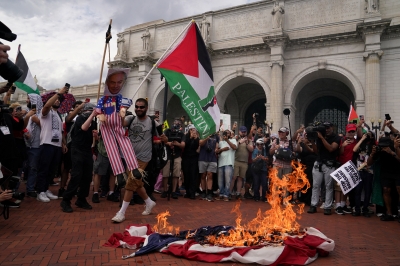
46,150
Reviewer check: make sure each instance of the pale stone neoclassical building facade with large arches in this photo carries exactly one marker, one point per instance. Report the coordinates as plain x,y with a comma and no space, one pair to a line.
314,57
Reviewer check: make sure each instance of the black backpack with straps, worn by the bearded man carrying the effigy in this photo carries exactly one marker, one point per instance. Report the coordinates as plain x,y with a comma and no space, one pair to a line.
159,153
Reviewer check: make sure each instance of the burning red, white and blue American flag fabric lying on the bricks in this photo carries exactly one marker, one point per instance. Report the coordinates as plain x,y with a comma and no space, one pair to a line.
295,250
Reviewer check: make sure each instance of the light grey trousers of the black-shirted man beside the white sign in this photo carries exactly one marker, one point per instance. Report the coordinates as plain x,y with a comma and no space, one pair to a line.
318,177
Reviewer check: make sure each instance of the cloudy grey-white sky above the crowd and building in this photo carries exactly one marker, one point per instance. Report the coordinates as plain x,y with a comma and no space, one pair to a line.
63,41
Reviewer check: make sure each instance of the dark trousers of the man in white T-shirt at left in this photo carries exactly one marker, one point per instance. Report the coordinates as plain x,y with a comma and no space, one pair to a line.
49,158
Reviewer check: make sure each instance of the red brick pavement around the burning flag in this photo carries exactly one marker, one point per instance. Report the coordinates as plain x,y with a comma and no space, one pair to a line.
41,234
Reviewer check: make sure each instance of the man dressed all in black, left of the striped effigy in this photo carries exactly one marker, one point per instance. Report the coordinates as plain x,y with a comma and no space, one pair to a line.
82,162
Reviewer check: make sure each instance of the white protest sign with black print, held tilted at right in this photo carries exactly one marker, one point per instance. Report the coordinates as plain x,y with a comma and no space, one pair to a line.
347,176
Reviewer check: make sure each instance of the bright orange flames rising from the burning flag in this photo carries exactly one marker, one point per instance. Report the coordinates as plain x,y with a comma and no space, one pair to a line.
269,227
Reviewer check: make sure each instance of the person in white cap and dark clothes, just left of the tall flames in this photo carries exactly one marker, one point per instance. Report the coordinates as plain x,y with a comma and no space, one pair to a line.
260,159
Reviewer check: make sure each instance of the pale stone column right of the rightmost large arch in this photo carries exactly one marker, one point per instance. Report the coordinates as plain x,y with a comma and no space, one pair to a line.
372,84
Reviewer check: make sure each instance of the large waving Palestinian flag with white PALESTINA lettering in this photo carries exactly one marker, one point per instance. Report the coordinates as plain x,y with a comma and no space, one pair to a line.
187,69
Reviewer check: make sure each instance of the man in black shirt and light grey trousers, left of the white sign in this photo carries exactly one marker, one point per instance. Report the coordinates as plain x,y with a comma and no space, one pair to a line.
326,149
